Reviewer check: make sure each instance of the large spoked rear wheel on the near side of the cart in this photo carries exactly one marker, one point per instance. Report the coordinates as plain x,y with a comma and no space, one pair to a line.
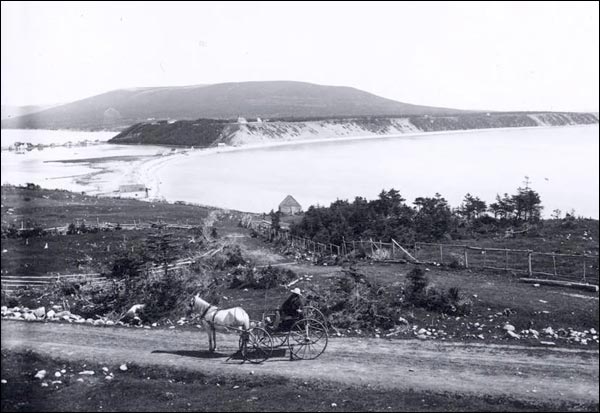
307,339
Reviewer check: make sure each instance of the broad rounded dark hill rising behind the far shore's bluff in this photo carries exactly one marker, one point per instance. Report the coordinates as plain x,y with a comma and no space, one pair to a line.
118,109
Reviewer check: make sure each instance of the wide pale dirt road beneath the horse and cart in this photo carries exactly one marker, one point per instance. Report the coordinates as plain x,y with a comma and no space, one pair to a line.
520,372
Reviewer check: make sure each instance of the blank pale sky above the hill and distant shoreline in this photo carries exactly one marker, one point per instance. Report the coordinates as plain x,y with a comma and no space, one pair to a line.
485,56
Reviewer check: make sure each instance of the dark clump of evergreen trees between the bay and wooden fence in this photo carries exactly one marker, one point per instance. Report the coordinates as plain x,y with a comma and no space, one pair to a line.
428,219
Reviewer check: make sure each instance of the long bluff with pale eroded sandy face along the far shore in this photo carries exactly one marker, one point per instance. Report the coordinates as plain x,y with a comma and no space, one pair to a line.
207,132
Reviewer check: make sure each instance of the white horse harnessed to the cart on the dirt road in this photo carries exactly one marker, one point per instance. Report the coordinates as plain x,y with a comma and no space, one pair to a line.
213,318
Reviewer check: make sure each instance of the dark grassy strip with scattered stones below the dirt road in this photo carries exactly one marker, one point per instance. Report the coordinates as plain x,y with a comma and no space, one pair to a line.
159,389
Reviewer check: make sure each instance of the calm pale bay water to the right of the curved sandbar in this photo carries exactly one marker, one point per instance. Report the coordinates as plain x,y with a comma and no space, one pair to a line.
562,164
